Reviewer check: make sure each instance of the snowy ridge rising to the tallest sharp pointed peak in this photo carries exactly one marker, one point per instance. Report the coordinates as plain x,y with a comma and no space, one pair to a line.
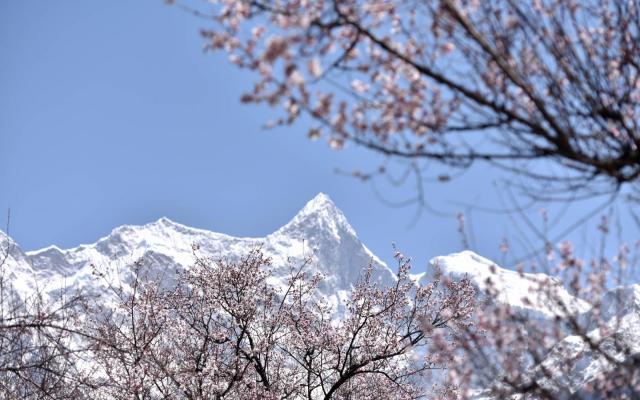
320,229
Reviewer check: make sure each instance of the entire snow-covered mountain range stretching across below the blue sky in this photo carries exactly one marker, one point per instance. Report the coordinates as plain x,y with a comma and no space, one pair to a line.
319,230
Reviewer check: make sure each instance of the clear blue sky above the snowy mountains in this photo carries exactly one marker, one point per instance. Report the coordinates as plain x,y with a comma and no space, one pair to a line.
111,114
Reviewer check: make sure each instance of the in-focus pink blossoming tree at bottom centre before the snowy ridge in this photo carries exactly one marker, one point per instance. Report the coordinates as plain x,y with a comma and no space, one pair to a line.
228,331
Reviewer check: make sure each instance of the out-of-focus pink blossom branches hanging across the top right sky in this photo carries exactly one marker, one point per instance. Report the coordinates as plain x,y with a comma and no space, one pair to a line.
525,85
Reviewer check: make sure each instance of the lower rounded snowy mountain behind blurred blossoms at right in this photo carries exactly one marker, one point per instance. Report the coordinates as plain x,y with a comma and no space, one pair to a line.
613,324
